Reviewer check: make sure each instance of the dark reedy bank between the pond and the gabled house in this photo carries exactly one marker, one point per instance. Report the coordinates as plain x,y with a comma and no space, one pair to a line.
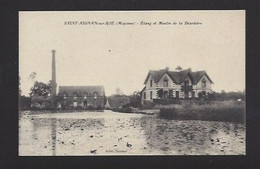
215,111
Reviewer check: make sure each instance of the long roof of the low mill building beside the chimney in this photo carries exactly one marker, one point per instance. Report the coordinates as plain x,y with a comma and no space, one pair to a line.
80,90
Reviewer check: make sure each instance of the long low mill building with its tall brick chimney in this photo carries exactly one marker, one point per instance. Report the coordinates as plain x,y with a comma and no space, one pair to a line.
70,96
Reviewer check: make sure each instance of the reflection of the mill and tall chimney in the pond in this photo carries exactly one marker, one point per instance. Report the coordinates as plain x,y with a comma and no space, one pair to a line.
64,126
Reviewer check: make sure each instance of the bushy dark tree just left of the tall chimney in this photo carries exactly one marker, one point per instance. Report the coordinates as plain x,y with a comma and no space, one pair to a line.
40,89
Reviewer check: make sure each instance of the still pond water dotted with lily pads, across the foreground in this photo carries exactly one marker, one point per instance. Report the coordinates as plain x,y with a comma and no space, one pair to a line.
112,133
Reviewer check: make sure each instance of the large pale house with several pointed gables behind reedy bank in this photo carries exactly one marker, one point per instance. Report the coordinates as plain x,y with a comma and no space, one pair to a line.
180,84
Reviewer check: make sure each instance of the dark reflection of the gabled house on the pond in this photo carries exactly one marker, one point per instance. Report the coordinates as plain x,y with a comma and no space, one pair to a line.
172,135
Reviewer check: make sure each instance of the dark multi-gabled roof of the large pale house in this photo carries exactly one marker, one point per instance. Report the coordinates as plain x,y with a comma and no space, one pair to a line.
177,77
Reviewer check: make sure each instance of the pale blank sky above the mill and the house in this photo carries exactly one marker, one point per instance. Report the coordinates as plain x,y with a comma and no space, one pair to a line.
121,56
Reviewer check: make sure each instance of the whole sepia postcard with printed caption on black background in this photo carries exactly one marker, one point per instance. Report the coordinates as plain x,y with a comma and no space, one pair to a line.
132,83
